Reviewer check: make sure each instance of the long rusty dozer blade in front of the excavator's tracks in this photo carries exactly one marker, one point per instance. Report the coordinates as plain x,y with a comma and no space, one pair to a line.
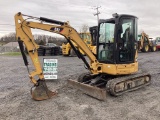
93,91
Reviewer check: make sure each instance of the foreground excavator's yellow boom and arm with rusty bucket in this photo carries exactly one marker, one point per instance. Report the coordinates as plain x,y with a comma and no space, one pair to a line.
24,35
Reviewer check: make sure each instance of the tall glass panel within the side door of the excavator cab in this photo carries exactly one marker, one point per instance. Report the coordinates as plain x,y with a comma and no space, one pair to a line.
127,37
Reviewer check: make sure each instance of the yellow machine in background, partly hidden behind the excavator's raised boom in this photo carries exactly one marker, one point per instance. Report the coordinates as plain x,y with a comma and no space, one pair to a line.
67,50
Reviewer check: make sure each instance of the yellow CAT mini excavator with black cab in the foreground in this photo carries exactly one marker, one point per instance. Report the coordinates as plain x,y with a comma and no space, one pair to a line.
111,70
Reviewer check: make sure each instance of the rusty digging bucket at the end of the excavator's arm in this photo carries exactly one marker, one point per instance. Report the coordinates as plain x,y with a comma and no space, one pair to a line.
41,91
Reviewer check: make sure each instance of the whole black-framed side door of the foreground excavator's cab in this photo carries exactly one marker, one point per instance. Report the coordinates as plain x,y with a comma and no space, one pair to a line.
126,41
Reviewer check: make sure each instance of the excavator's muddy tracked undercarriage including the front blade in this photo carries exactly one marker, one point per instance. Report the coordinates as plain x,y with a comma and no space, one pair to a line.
98,86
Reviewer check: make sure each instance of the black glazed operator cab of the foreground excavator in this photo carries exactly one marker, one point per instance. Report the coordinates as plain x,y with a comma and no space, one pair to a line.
117,40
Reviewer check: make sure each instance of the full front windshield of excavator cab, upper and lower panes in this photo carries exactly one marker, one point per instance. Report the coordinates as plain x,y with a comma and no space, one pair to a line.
106,41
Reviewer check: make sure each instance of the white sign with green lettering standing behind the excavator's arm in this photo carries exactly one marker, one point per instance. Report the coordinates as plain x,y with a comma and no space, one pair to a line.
50,68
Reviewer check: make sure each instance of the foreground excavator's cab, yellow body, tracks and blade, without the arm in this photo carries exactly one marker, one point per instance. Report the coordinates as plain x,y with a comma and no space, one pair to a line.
117,57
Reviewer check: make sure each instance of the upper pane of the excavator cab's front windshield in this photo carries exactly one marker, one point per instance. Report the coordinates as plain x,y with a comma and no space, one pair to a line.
106,32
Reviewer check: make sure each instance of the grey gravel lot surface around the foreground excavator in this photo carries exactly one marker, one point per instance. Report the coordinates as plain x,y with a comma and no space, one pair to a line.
71,104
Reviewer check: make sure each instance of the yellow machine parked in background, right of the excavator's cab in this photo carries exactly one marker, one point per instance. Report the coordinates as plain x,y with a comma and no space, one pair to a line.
145,44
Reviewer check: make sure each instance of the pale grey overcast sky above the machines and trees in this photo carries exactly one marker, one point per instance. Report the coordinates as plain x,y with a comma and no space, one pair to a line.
79,12
